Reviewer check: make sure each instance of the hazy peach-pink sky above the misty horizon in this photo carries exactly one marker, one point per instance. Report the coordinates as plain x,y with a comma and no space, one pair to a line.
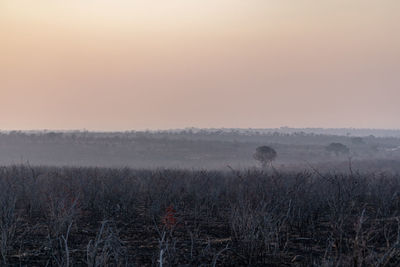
130,64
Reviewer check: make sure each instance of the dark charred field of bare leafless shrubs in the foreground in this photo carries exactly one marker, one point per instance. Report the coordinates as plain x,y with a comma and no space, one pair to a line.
59,216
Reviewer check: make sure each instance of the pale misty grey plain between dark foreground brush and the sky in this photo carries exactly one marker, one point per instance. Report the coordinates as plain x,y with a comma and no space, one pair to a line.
200,149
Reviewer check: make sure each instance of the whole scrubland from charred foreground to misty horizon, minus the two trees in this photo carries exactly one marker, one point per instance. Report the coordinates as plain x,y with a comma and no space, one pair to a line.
199,198
